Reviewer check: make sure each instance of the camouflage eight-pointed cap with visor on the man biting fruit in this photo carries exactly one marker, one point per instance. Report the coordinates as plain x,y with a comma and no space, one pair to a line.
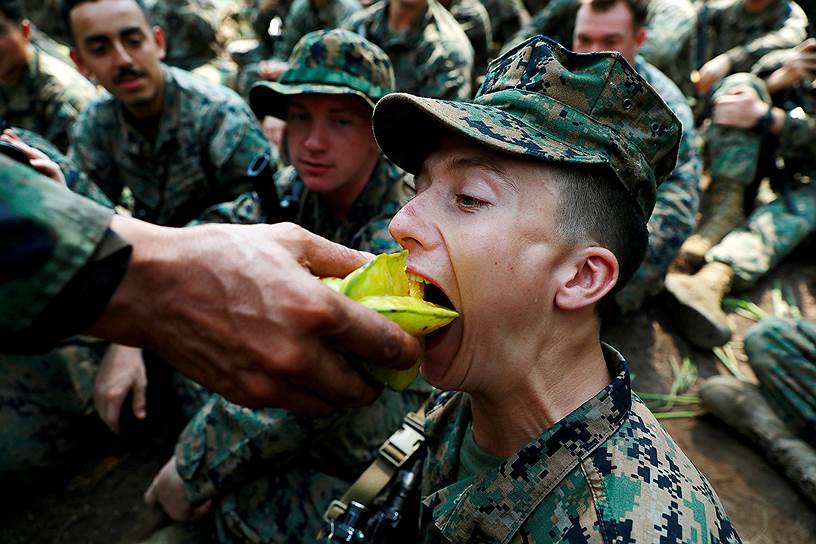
543,101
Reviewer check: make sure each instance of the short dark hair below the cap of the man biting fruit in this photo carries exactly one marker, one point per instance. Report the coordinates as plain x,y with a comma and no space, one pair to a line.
594,207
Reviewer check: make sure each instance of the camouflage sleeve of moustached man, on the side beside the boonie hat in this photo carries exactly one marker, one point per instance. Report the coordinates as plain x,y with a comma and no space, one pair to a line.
236,142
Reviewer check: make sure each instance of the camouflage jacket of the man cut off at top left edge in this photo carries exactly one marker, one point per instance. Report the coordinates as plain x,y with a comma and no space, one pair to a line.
47,99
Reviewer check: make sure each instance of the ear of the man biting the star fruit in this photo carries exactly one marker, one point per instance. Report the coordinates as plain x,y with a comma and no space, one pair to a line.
588,276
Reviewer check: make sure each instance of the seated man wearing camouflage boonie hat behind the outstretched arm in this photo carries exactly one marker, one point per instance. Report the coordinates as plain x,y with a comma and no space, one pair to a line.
340,186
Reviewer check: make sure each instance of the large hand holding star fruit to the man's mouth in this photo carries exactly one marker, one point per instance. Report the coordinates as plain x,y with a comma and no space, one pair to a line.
238,309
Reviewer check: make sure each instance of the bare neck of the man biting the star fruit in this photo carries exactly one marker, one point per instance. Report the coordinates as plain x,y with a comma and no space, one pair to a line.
562,377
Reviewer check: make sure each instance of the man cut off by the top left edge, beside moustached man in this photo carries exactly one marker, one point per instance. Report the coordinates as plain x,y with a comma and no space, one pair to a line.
37,91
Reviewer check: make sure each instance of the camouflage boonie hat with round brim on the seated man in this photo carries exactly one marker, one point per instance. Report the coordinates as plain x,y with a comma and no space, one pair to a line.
327,62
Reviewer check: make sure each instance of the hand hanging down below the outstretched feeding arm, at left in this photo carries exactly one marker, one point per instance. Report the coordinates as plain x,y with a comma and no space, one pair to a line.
122,371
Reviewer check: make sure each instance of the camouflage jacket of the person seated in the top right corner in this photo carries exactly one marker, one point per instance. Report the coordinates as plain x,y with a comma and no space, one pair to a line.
746,37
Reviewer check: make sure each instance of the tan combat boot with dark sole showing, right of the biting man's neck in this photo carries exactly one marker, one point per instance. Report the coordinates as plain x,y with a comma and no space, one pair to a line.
694,303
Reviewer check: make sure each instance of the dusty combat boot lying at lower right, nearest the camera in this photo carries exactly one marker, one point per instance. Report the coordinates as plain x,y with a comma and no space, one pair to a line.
741,406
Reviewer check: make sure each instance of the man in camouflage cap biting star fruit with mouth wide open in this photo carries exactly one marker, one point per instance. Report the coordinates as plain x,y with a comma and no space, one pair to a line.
531,208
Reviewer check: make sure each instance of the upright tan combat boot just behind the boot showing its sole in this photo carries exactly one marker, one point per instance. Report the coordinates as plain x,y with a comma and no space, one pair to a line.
722,214
